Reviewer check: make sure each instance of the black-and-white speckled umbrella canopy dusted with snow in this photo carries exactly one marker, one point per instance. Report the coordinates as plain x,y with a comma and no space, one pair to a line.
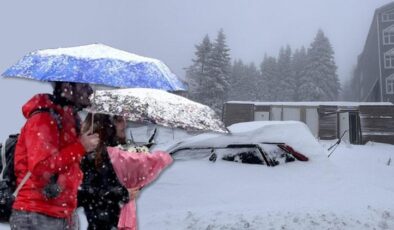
158,107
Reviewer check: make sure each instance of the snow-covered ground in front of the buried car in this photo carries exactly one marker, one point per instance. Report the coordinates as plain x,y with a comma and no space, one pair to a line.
353,189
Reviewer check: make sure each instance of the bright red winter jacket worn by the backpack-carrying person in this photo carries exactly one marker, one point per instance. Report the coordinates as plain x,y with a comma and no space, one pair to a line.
44,150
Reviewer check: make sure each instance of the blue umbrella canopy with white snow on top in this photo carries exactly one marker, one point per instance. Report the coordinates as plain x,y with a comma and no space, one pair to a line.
96,64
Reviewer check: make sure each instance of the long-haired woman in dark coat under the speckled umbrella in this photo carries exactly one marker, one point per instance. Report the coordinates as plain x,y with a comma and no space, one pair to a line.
101,194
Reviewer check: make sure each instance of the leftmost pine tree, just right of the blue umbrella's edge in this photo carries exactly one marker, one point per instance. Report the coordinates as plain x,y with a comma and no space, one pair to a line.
196,74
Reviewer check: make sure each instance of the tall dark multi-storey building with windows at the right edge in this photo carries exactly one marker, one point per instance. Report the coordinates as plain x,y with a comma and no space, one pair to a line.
374,73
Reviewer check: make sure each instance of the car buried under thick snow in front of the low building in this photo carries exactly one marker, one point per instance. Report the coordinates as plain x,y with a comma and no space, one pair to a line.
261,142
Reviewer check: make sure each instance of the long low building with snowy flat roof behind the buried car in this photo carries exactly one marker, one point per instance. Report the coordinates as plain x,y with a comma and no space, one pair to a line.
355,122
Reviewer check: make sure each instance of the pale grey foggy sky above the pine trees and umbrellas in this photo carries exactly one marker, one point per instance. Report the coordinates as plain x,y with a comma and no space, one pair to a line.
169,29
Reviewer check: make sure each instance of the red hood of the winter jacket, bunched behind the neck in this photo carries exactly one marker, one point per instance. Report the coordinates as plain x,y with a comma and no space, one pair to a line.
39,101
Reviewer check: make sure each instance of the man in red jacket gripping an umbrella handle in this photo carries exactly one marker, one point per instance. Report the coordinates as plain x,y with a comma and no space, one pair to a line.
51,150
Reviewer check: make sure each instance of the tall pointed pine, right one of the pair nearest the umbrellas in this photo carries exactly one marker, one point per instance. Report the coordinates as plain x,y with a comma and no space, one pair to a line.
218,71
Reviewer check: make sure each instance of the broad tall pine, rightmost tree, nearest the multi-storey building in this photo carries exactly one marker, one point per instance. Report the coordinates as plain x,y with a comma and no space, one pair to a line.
320,81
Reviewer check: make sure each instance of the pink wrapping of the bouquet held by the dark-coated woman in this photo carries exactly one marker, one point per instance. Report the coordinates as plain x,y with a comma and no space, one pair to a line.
135,170
